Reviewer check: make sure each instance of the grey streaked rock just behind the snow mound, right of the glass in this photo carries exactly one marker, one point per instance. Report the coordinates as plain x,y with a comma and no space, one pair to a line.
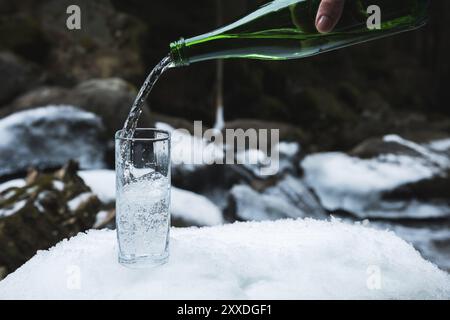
288,198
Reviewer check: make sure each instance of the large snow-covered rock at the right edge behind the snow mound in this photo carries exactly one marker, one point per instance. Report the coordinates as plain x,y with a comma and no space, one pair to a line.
357,185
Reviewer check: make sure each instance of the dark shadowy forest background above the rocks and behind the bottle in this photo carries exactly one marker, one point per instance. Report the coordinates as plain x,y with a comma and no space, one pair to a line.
334,101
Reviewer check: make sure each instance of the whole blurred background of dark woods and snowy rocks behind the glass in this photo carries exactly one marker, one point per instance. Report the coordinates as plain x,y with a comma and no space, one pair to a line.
365,131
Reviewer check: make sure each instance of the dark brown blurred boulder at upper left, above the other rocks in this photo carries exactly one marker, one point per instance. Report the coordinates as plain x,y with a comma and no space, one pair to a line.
107,45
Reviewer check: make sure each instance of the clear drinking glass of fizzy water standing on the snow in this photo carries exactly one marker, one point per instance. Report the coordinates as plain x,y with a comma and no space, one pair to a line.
143,197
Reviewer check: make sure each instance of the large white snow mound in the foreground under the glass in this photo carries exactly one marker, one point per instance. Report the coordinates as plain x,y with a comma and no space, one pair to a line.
288,259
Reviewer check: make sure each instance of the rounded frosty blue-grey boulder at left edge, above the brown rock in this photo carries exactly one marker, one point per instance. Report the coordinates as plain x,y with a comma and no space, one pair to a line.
48,137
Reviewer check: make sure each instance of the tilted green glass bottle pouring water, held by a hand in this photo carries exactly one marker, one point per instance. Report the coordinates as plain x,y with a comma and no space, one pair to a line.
285,29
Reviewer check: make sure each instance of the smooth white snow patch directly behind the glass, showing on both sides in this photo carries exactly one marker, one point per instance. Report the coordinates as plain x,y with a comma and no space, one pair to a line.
185,205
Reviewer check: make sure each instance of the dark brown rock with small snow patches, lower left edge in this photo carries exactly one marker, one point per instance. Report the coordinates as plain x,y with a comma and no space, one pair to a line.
49,208
